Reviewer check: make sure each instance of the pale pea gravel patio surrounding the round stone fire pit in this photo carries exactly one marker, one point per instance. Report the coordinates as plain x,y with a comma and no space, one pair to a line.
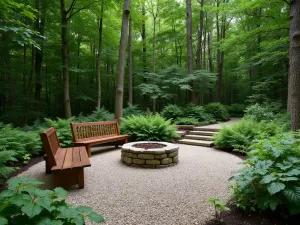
139,196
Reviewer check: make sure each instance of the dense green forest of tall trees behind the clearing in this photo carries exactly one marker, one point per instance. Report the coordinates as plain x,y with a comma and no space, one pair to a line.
60,58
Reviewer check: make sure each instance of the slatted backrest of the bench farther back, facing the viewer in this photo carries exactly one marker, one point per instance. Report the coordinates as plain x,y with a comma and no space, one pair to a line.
93,130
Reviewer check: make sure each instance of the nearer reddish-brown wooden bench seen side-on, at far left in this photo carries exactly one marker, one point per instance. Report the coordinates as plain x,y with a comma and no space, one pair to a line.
66,164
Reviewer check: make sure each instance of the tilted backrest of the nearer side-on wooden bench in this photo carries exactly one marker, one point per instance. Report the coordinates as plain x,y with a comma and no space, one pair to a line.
51,144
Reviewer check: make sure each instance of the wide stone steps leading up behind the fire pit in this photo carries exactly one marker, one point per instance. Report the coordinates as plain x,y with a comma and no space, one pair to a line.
200,136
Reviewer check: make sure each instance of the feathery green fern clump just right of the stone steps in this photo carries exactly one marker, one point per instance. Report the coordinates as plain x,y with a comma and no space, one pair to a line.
240,135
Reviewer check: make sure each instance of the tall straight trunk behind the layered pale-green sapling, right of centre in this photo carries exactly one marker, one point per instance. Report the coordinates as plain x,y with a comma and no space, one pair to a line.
190,47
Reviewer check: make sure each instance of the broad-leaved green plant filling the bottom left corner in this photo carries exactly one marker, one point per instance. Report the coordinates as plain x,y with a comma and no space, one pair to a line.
24,203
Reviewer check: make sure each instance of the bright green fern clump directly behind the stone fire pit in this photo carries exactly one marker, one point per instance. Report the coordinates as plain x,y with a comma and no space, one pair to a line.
148,128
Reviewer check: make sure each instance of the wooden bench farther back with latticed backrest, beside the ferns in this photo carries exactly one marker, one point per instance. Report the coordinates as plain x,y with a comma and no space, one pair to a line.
94,133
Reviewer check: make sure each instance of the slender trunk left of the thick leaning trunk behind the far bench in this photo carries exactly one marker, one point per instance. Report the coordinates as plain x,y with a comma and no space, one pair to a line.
99,58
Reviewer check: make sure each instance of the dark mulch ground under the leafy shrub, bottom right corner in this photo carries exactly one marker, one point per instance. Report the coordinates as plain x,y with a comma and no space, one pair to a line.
237,216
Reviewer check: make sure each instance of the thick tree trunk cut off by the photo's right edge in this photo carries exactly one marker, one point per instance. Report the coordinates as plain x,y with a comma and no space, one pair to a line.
294,79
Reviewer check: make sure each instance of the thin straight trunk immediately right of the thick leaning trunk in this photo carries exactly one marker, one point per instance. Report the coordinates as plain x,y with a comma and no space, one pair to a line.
130,87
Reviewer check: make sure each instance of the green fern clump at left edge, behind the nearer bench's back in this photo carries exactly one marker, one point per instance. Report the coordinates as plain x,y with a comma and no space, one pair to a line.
23,144
